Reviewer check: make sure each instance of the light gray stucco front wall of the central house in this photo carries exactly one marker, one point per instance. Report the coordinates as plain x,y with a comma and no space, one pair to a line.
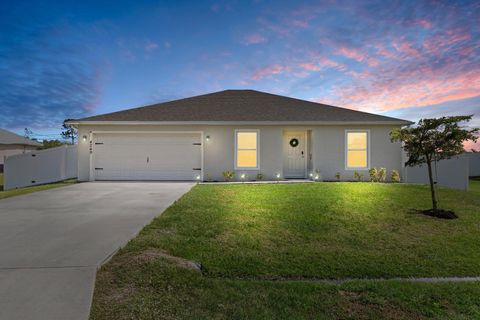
327,148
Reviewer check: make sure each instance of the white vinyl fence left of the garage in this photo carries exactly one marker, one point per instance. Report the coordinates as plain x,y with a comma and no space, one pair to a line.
39,167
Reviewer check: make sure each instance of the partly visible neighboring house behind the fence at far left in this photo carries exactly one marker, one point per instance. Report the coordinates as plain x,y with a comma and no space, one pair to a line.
11,143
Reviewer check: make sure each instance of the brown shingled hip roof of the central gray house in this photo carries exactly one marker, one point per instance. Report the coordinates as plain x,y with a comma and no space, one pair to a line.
240,106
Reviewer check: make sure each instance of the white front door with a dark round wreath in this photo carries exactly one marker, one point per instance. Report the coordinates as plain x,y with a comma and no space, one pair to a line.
294,158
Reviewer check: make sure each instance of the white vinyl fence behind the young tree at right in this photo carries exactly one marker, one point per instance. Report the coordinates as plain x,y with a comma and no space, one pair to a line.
452,173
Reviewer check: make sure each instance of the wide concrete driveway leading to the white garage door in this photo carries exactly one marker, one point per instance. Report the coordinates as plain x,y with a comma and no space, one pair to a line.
53,241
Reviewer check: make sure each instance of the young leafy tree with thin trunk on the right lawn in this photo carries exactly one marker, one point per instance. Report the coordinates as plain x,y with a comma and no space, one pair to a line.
433,140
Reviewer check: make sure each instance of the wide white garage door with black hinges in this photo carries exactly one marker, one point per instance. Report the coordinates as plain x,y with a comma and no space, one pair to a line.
147,156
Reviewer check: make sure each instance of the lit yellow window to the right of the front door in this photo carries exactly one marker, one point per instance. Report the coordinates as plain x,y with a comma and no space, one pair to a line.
357,149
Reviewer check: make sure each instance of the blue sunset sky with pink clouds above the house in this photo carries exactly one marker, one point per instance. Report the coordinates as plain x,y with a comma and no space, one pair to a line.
73,59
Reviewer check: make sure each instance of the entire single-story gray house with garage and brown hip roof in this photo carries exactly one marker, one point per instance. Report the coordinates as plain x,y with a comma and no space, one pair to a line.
244,131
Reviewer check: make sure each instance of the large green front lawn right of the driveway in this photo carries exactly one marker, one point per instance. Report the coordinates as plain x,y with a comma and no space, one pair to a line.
246,235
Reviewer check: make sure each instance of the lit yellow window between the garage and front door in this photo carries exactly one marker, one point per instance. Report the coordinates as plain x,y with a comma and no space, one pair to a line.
246,149
